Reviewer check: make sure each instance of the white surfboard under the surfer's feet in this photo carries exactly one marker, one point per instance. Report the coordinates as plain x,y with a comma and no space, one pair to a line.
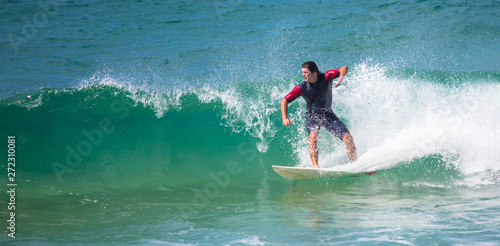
297,173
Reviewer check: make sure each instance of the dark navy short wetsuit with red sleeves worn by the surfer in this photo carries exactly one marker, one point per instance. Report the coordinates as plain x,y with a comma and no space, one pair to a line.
318,96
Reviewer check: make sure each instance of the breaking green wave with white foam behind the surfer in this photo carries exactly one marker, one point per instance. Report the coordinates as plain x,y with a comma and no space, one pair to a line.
397,118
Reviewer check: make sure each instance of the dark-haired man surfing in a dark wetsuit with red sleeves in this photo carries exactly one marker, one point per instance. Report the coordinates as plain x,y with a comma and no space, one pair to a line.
317,91
